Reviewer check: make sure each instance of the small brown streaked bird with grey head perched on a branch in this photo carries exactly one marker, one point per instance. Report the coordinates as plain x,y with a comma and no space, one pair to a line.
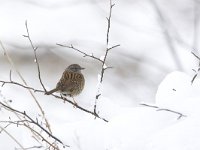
71,83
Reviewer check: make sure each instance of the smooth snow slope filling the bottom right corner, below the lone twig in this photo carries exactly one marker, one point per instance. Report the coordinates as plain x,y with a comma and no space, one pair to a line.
184,135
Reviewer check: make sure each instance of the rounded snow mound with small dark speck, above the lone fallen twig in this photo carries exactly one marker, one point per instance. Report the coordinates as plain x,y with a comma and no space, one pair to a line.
177,93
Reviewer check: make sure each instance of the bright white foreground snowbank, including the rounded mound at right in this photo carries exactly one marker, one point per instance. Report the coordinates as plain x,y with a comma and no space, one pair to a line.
141,128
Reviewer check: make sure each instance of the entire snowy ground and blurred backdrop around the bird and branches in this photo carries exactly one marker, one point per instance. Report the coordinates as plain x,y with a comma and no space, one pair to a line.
147,34
